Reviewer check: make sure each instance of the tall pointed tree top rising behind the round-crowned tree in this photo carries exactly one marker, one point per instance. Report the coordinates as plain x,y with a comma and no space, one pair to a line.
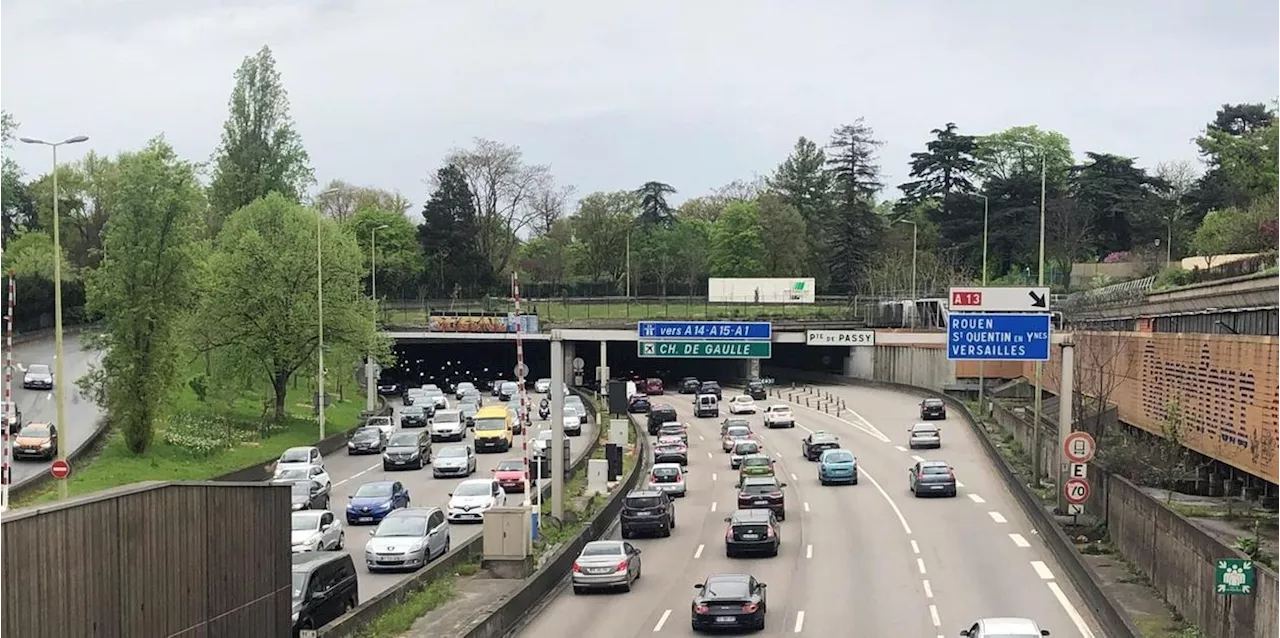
262,152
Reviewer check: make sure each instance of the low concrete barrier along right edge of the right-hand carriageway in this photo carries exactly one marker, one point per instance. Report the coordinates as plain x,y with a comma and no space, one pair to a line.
1116,623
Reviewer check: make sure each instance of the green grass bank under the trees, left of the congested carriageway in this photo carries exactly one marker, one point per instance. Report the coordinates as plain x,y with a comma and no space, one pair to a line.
241,440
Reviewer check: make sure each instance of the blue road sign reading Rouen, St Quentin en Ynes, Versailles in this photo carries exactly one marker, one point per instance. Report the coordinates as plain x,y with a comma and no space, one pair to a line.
999,338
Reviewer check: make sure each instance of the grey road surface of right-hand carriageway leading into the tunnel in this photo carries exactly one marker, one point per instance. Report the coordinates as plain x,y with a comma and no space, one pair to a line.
866,560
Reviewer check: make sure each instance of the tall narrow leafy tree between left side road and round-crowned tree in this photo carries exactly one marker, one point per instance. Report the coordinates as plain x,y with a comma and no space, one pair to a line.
145,289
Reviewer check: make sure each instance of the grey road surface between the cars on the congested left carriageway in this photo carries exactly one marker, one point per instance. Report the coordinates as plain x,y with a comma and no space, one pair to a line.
351,472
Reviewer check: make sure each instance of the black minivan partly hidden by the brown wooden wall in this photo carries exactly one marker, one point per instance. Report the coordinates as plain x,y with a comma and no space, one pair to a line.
324,587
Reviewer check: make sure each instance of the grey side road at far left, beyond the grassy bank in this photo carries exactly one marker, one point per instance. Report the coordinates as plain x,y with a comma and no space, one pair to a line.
35,405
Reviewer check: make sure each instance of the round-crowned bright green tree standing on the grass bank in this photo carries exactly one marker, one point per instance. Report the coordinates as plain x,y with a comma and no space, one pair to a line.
259,311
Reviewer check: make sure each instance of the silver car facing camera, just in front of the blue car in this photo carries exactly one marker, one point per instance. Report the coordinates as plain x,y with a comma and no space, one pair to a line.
408,539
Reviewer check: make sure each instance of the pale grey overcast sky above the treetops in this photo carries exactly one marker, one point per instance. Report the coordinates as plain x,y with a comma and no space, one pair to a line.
612,94
